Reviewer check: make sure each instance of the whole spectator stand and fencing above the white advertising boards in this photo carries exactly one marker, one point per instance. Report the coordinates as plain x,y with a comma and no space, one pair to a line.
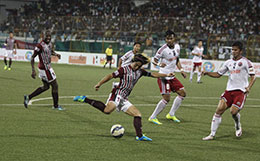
91,25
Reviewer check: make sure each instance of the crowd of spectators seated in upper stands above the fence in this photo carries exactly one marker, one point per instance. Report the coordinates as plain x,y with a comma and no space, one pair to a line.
122,19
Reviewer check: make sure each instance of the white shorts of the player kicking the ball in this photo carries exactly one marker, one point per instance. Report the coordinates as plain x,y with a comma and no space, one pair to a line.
121,103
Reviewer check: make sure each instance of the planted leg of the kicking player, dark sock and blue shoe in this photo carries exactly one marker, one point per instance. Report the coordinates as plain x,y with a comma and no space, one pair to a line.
133,111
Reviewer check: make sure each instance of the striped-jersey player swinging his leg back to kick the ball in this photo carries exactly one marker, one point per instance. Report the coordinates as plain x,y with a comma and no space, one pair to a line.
118,98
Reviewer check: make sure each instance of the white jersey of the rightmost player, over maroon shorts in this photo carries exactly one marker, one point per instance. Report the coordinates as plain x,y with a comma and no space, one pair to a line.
239,71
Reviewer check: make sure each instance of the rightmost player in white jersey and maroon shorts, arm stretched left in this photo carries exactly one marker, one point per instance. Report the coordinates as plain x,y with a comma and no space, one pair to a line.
234,97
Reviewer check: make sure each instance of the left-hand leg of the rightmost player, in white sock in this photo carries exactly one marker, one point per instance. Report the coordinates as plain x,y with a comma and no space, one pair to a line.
216,120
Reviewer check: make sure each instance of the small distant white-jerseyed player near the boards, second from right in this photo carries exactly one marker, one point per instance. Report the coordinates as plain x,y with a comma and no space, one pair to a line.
197,53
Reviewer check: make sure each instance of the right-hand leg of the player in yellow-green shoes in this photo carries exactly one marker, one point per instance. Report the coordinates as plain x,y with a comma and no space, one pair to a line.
179,89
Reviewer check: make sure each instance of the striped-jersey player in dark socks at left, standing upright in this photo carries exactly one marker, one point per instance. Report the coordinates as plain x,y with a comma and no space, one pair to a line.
44,51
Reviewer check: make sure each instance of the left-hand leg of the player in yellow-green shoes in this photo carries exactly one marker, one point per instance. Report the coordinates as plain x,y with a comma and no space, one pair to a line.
165,91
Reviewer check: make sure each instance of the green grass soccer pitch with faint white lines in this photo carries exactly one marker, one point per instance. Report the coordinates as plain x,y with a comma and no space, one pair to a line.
82,133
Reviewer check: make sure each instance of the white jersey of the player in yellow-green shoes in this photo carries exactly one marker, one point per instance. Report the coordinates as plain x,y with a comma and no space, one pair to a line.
169,57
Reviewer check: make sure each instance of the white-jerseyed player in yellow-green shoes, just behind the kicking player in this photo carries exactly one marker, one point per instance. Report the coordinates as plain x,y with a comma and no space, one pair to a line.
168,55
